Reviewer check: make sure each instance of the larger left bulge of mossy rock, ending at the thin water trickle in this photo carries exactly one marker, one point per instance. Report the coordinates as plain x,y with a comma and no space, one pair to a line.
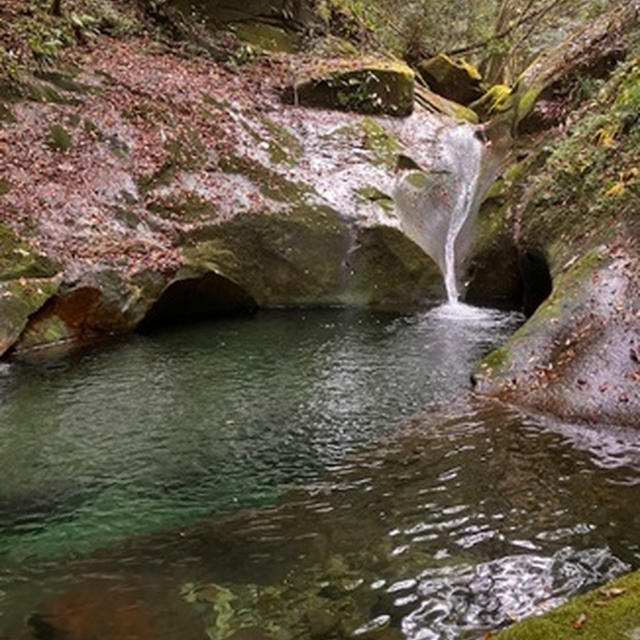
290,258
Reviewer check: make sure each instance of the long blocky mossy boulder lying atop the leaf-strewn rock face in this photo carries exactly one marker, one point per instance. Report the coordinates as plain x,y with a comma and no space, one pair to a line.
381,88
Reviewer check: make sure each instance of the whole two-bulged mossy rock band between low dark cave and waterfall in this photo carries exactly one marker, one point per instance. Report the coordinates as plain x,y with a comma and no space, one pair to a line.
310,256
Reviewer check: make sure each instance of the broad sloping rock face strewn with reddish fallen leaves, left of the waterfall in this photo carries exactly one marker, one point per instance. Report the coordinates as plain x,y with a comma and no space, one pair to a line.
183,179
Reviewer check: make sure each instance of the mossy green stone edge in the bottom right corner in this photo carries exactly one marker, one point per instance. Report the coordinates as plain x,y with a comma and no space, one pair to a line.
611,612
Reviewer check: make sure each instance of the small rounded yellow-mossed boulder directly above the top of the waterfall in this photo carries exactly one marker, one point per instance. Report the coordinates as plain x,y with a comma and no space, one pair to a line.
456,80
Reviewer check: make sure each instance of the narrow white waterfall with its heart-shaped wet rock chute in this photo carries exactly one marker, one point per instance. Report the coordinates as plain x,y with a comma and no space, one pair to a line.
437,205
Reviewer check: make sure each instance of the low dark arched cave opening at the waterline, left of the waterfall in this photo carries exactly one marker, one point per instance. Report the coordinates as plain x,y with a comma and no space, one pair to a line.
192,299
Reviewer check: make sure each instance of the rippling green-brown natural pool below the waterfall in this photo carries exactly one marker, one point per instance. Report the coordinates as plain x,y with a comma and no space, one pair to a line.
297,474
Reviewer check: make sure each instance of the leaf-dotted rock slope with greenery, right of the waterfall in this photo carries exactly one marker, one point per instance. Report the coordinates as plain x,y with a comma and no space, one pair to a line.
574,206
